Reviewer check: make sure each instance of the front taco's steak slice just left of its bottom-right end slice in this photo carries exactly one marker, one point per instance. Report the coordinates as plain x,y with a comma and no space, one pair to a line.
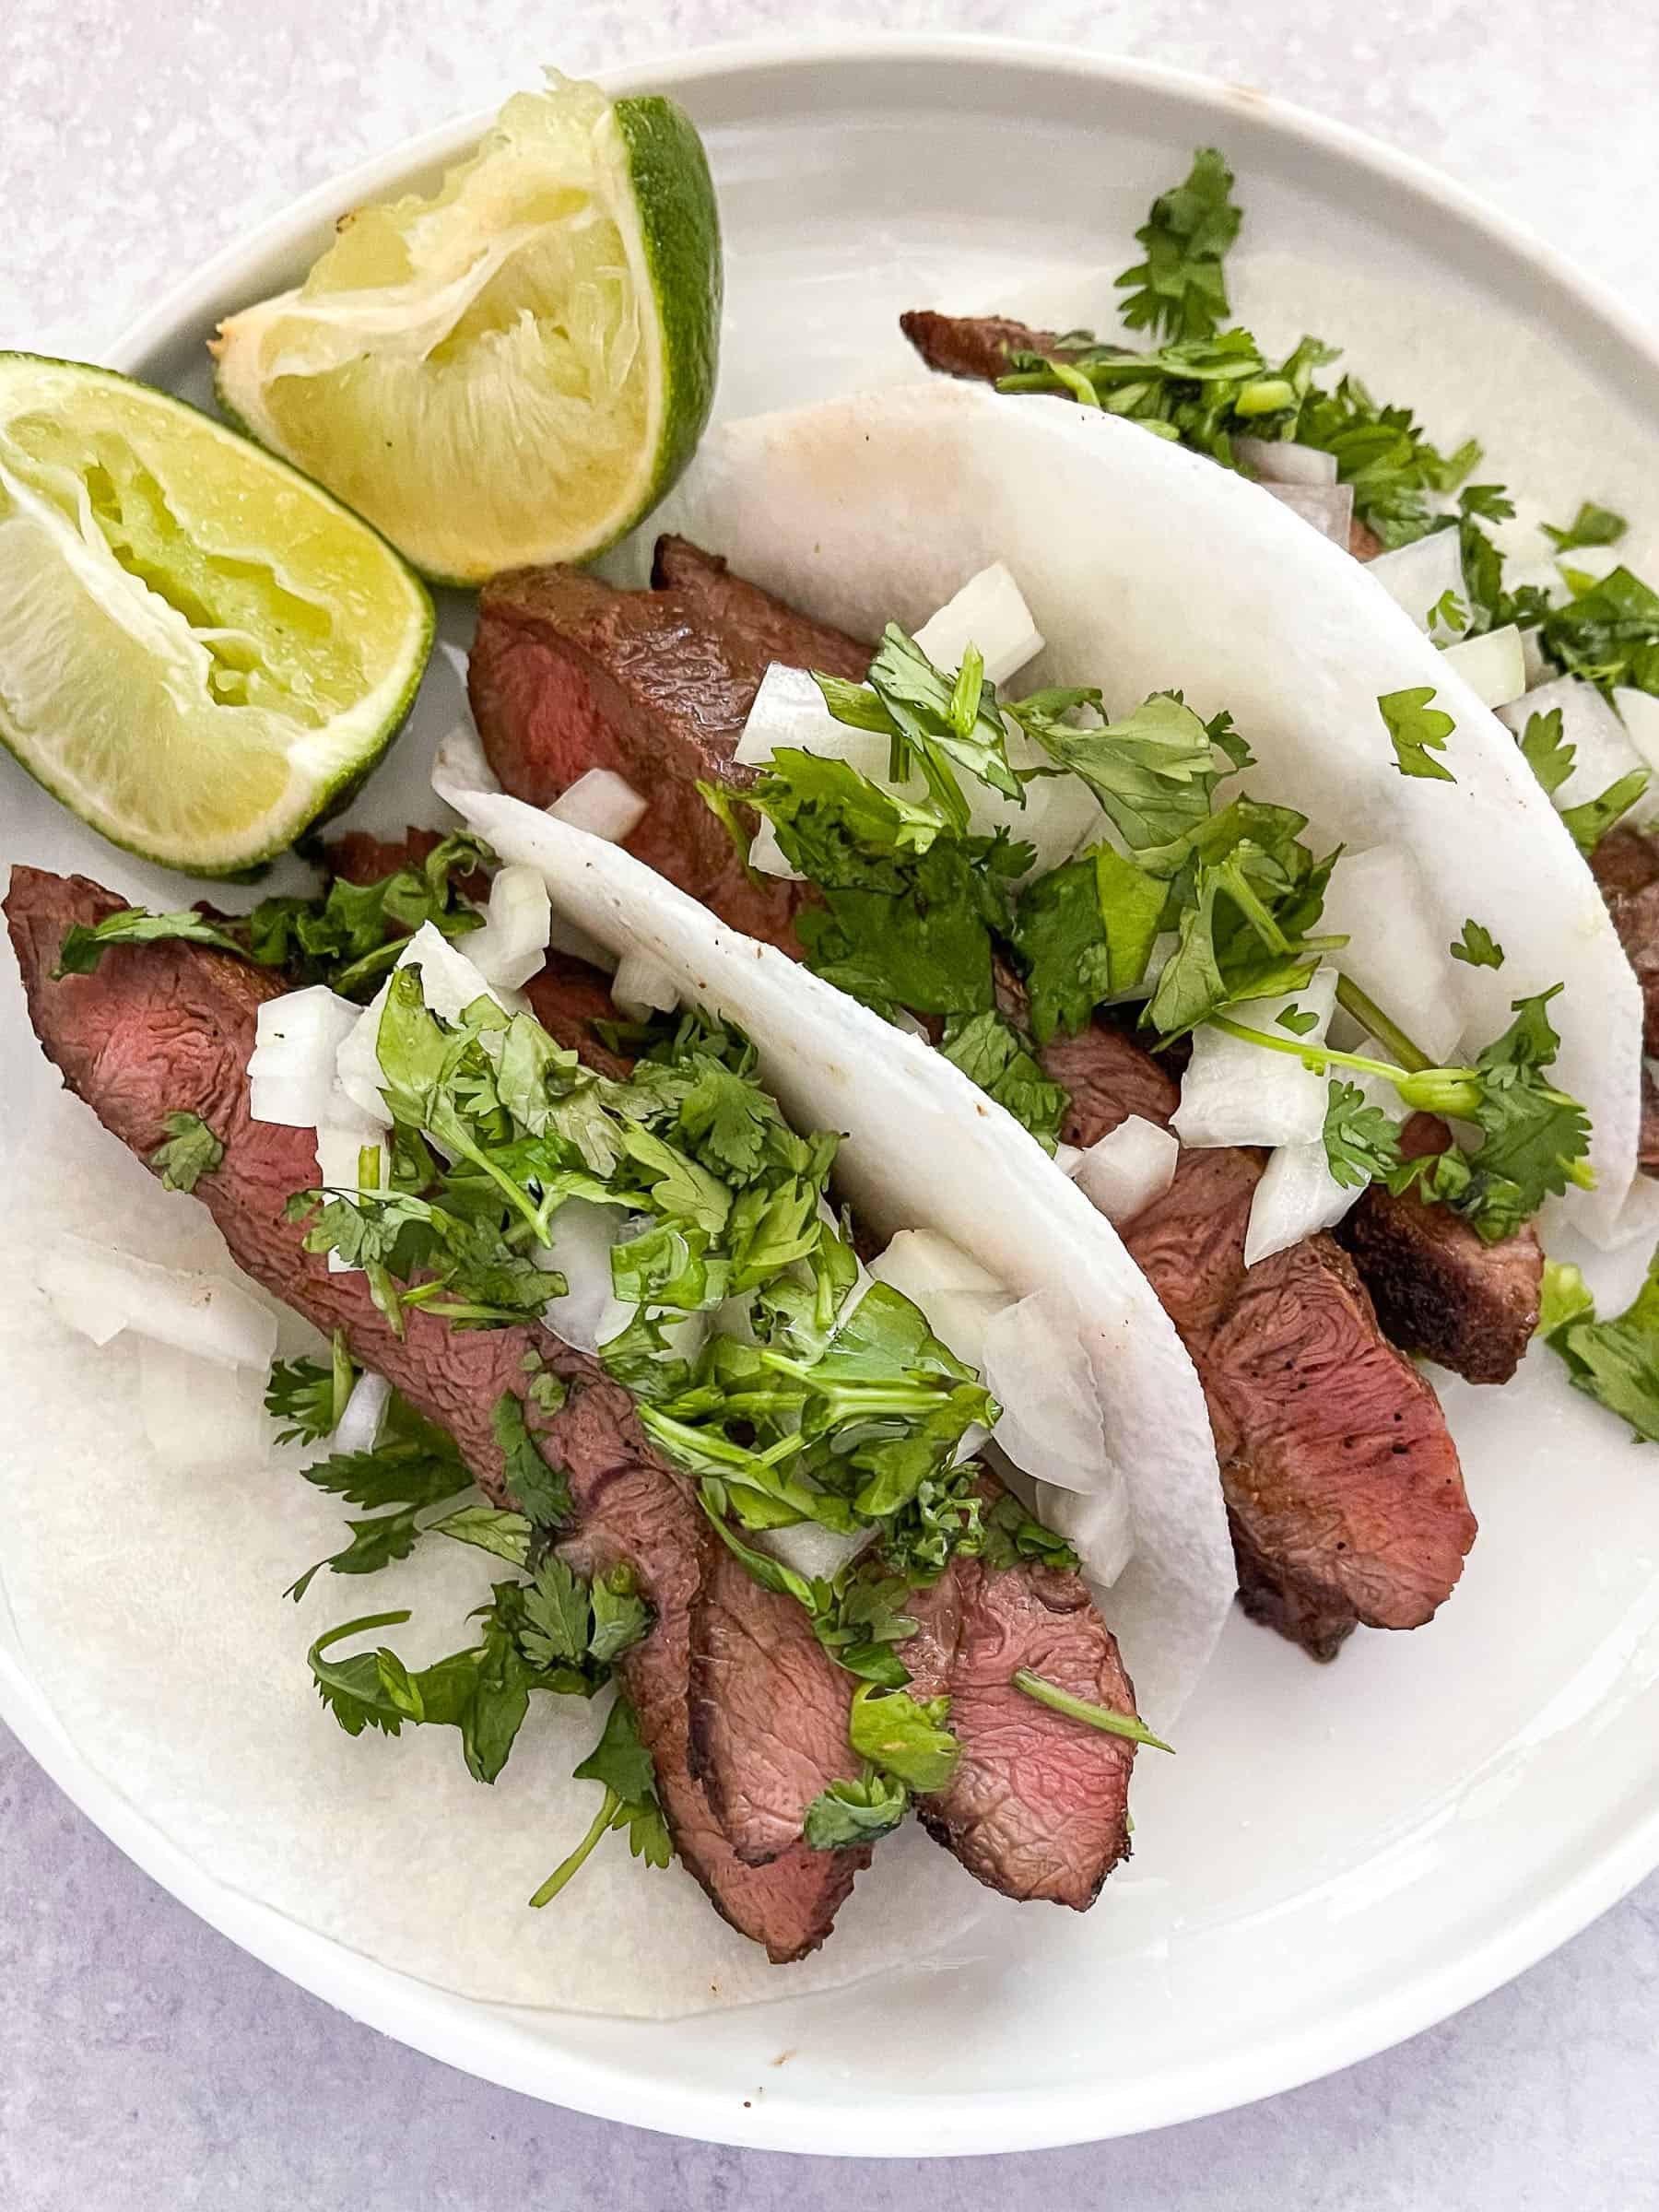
769,1711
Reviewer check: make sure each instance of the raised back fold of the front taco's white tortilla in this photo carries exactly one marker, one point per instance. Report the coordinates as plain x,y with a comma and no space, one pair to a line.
926,1149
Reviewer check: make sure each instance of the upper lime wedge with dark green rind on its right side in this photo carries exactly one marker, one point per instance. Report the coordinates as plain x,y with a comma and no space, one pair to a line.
519,366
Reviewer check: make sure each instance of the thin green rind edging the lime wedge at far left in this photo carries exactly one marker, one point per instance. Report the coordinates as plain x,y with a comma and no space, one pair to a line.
326,793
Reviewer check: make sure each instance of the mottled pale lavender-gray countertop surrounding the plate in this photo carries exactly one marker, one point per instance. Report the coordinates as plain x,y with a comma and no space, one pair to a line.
147,2065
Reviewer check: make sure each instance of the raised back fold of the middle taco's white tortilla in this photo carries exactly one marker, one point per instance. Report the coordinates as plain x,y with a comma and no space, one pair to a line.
1149,567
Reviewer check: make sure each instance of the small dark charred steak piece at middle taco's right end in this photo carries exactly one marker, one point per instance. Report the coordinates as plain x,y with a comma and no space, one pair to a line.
1439,1288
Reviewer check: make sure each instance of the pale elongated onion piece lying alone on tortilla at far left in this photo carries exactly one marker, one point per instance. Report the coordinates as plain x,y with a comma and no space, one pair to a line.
103,1293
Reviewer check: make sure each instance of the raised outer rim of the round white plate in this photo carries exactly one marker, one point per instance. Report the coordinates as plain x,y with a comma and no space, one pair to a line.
488,2043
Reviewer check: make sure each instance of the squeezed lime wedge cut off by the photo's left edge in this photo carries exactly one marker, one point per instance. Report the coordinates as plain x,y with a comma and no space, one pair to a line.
200,649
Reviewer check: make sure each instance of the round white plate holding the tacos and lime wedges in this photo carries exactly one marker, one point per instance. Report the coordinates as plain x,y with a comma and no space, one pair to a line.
1339,1857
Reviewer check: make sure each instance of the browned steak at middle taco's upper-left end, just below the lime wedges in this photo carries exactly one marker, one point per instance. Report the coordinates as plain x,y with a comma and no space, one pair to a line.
570,676
